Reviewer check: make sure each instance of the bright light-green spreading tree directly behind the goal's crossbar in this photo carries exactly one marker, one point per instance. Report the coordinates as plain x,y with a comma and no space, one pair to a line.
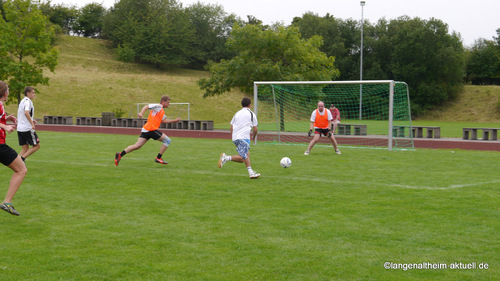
277,53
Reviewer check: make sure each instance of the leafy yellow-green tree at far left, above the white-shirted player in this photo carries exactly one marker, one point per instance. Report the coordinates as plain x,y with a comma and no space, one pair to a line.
25,48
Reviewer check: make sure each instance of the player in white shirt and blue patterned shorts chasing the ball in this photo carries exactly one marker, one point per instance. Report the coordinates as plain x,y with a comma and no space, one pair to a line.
243,123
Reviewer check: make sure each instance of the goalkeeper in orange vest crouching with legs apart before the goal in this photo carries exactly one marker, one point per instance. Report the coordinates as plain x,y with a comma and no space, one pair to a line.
321,121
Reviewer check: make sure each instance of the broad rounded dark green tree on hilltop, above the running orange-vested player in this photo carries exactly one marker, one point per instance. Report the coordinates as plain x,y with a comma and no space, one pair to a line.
157,31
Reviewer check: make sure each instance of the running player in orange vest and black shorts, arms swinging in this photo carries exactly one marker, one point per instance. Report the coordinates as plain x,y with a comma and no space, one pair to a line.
150,130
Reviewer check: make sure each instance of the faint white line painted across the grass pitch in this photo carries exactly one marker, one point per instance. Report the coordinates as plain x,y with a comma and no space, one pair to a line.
317,180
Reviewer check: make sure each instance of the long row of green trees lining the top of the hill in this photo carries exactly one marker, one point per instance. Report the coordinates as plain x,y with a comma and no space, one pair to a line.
423,53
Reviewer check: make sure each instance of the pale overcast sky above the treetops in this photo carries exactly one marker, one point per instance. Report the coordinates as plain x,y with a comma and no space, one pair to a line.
473,19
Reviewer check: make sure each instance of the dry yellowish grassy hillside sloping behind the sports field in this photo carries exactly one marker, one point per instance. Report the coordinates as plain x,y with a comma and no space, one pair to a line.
89,80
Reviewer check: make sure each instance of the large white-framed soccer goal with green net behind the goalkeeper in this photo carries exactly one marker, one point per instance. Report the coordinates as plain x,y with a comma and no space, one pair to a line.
373,114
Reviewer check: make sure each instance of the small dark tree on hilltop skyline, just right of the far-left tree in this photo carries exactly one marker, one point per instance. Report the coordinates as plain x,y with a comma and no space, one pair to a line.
89,20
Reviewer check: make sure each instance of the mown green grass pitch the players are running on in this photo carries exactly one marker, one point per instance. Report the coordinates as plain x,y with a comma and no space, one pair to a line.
328,217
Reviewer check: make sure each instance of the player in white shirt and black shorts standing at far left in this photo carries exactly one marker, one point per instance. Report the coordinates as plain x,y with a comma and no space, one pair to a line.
28,139
